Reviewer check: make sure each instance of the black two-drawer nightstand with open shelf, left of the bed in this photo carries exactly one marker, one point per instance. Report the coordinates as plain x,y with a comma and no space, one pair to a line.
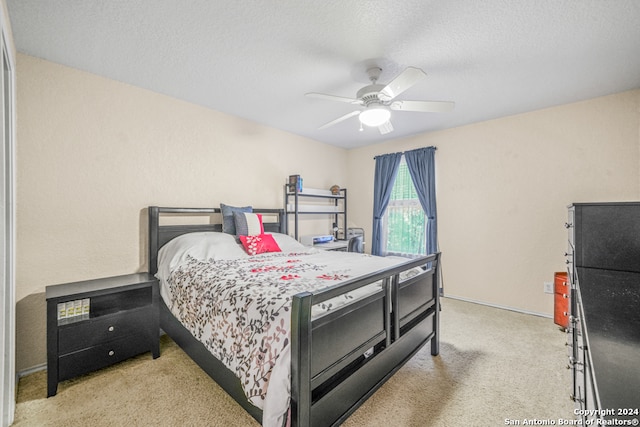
96,323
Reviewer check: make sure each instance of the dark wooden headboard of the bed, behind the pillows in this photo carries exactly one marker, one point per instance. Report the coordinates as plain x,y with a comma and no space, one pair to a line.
273,220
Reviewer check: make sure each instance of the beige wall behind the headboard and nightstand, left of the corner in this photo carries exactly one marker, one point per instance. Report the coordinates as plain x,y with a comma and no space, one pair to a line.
94,153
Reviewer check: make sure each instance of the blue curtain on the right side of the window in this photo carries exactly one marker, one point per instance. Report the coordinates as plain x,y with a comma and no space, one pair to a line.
421,166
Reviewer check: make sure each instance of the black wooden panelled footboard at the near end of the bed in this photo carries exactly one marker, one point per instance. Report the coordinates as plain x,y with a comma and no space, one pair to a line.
340,359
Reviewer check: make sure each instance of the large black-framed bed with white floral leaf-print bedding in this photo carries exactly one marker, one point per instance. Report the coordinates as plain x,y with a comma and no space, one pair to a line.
344,322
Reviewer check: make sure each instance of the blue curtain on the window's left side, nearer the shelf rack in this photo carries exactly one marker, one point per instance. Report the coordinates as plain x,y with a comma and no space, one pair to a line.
385,176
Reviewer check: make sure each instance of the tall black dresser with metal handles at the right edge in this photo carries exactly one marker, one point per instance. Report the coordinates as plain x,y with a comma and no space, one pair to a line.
604,326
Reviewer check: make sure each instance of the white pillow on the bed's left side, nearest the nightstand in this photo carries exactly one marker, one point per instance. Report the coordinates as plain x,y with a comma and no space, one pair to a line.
203,245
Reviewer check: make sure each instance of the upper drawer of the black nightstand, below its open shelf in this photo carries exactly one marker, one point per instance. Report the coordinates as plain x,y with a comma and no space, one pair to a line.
84,334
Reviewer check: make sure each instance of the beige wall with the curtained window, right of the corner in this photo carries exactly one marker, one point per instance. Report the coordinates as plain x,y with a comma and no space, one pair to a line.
503,187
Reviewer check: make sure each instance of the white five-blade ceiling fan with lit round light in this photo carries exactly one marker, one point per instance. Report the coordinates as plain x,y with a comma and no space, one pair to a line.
378,100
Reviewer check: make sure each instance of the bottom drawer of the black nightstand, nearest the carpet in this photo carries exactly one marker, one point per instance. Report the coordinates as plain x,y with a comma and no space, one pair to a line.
101,356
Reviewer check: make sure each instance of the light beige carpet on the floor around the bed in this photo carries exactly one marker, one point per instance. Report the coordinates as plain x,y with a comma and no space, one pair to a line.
495,366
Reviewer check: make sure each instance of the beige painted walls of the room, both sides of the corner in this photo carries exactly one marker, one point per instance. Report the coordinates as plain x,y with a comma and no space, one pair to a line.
93,153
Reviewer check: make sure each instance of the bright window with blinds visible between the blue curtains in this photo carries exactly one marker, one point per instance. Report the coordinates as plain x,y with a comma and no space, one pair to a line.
404,224
